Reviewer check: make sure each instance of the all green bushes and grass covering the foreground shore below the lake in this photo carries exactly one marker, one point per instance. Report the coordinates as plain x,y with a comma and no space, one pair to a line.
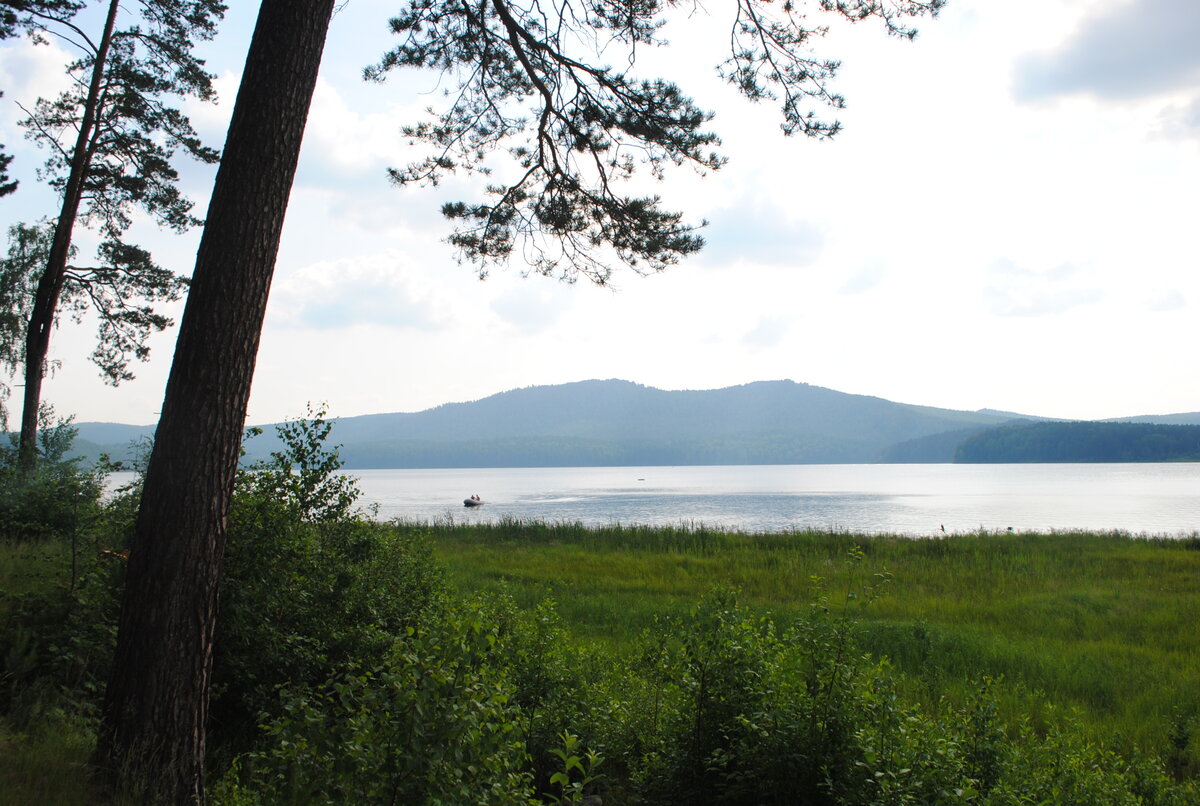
527,664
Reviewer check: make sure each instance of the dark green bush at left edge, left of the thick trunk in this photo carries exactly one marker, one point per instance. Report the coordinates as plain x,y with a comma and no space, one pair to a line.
57,633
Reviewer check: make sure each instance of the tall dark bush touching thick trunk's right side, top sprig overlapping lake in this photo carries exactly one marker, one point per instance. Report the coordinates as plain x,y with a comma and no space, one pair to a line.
310,585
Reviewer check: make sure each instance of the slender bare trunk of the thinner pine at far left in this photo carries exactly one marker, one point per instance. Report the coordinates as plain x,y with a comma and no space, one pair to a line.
50,287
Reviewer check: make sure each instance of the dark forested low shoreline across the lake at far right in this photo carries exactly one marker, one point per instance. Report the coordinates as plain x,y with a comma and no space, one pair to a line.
1083,442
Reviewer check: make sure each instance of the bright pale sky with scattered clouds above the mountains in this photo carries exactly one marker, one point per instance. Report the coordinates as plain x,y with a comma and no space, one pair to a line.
1010,220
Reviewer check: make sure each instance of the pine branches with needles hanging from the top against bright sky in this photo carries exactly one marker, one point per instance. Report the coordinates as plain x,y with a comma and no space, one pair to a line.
533,80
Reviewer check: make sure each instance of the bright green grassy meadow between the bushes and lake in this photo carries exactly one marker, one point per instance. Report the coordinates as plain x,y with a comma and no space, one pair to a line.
1102,623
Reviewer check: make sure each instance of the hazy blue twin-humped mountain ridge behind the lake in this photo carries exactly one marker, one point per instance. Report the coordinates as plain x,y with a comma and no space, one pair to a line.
617,423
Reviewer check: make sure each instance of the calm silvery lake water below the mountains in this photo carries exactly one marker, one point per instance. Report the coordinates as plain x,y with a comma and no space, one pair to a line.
913,500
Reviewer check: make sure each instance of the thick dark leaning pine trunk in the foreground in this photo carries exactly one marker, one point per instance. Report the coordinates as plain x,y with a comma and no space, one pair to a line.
152,743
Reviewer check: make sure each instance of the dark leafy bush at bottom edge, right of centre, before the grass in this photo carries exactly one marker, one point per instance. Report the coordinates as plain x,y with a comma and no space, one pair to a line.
748,712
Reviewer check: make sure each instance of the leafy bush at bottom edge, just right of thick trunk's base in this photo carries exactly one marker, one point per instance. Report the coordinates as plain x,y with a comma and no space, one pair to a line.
435,723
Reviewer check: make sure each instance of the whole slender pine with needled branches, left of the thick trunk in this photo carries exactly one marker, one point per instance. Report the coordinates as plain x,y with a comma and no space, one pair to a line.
111,139
